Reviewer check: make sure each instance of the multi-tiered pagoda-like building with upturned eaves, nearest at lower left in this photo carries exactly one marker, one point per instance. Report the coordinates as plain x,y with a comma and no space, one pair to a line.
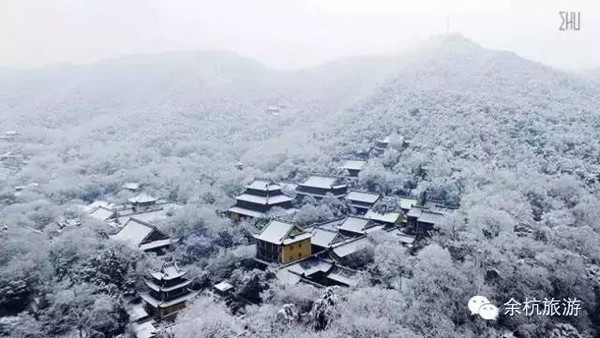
168,291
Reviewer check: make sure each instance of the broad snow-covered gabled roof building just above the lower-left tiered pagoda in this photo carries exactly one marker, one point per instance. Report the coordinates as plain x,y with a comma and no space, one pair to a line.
143,236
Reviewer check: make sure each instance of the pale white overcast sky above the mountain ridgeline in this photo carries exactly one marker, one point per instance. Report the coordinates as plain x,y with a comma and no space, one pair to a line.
288,33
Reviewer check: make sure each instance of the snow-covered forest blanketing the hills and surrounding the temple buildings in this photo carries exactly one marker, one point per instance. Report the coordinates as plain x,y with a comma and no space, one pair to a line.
513,142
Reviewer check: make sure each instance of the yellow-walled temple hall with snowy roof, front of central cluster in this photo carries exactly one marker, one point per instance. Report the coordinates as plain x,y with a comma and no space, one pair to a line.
282,243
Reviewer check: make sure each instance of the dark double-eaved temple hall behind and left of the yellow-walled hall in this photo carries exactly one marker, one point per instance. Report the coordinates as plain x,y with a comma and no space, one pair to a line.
258,199
